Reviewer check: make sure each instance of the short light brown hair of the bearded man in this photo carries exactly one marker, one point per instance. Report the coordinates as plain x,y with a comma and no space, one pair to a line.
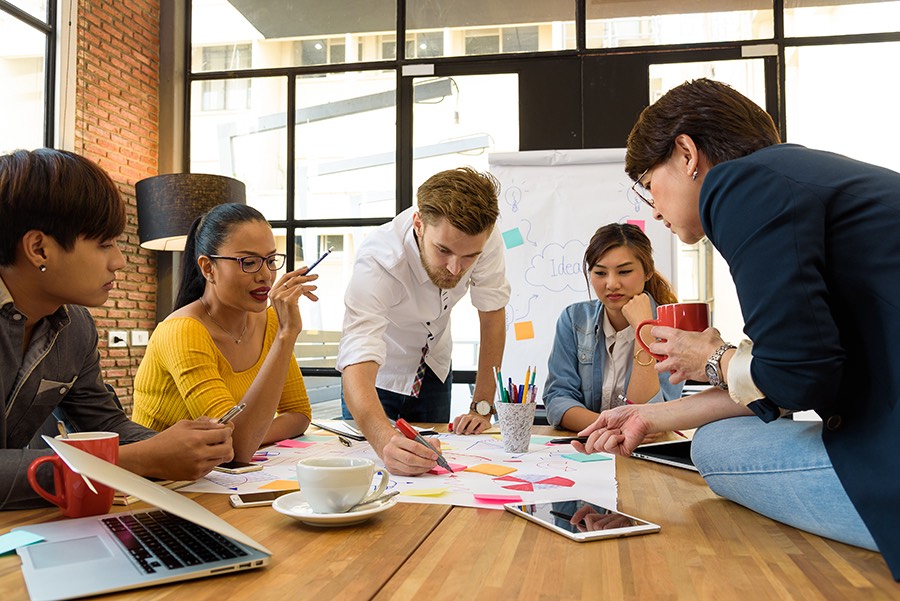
463,196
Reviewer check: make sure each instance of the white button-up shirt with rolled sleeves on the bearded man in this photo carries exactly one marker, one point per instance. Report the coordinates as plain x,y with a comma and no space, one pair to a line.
393,309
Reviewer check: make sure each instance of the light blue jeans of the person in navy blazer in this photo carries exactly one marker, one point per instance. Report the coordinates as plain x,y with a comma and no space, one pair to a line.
781,470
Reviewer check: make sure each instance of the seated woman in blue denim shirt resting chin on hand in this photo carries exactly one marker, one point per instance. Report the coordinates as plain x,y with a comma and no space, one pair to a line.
593,360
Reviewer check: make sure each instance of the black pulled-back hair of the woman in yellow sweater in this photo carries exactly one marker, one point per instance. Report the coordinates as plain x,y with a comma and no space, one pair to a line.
208,233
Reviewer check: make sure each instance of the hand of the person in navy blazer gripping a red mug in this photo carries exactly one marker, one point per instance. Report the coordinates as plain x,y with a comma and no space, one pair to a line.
686,352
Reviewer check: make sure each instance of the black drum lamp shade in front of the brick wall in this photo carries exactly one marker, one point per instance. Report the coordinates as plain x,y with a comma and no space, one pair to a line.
169,204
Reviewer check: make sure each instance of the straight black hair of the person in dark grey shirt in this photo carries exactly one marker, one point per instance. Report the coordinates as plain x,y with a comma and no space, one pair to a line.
59,193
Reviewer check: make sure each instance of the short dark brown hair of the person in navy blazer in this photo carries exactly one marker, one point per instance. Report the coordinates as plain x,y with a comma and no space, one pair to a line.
722,122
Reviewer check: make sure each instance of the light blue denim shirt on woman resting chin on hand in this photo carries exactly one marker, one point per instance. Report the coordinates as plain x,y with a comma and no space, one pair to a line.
578,360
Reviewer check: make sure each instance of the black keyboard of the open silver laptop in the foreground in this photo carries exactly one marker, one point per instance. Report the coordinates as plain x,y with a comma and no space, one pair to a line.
159,540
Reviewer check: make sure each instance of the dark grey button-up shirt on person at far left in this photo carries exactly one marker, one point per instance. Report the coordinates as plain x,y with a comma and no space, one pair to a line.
60,368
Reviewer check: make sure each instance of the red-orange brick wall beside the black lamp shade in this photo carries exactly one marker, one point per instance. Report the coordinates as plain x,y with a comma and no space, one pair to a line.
116,125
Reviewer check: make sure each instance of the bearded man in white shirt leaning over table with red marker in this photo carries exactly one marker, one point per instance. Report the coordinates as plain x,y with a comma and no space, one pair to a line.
396,348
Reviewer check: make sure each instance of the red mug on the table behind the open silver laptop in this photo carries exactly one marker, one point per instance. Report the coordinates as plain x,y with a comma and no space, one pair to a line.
73,496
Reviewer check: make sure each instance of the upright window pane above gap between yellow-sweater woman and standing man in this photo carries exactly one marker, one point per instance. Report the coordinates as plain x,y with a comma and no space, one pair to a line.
345,145
